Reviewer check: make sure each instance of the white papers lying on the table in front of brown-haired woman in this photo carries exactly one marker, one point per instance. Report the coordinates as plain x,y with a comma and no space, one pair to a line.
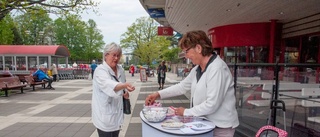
195,126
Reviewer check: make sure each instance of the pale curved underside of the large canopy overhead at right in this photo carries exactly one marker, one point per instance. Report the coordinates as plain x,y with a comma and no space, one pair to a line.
183,15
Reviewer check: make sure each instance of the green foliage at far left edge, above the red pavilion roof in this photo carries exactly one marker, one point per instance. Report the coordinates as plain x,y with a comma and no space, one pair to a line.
6,30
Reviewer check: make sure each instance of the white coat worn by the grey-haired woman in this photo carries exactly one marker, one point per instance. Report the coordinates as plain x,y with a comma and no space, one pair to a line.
107,105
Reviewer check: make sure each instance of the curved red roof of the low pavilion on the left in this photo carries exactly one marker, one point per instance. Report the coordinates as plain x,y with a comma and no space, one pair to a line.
53,50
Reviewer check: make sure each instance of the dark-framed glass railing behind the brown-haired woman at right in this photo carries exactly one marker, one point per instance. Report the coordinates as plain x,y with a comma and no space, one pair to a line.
253,106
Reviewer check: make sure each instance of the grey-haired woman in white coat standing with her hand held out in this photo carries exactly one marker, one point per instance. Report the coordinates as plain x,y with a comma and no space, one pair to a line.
107,93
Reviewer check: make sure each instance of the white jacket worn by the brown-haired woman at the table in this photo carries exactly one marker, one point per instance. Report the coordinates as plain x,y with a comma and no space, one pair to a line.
212,97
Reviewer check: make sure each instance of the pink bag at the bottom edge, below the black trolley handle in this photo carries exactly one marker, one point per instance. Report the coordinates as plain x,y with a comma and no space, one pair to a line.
271,131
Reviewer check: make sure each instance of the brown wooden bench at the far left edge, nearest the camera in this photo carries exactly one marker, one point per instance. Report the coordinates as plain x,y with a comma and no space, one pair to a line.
7,83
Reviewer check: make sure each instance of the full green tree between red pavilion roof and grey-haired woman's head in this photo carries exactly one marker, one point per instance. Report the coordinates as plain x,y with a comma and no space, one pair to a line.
83,40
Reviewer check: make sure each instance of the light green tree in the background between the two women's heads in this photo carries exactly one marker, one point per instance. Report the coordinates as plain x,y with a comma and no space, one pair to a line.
141,37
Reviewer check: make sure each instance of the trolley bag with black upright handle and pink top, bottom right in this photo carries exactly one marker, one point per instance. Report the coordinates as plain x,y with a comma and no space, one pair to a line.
272,131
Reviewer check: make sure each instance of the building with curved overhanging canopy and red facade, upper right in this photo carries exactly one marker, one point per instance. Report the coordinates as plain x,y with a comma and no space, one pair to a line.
249,31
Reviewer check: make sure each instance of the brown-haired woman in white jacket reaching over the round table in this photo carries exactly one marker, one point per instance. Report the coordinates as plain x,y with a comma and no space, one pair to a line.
210,83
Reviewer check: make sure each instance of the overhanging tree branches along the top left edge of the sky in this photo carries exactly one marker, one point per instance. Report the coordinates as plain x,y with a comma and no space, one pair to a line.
51,6
